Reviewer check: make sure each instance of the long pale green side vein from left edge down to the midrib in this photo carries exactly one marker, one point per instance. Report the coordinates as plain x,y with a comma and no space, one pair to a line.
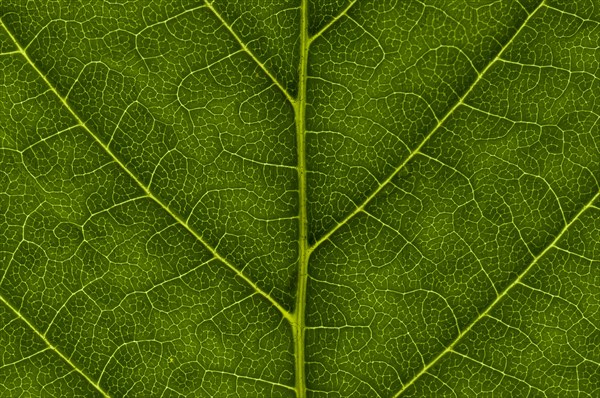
145,188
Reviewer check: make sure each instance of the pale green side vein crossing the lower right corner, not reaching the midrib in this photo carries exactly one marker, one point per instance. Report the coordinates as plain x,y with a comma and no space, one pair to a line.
498,298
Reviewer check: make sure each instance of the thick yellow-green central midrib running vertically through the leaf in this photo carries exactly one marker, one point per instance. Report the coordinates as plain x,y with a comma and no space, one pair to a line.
298,325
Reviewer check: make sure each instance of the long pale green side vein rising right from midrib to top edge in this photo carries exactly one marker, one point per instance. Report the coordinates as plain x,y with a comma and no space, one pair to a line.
439,124
